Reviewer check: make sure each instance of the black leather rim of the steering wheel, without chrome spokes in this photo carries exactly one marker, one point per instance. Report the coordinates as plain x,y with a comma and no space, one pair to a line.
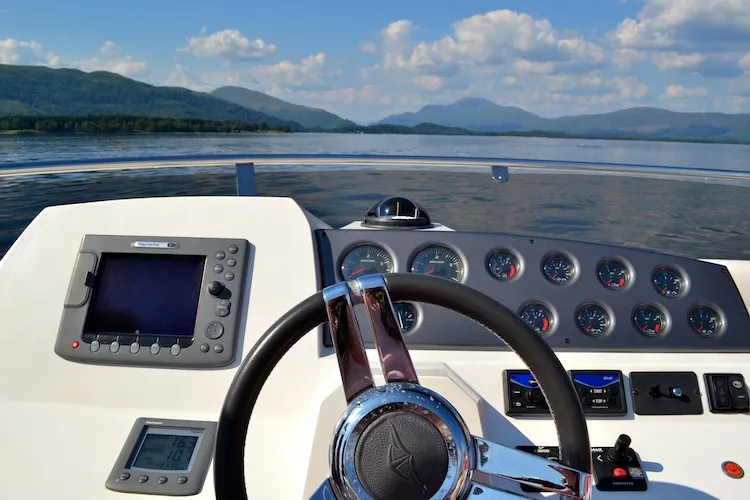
565,407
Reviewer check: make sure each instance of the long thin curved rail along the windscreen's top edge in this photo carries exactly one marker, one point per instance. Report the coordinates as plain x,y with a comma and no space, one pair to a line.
390,162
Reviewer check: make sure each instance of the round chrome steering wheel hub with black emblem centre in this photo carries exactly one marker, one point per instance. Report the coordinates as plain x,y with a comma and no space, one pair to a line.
400,440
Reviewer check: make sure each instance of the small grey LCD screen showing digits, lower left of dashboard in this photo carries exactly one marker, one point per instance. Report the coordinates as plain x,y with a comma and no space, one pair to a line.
167,449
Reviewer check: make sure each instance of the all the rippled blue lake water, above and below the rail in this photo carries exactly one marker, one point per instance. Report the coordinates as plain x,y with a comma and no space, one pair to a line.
683,218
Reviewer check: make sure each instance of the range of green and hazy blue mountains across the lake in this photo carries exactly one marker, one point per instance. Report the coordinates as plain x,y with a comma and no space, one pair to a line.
41,91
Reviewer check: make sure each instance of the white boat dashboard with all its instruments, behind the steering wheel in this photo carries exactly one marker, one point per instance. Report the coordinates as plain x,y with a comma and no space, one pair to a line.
124,324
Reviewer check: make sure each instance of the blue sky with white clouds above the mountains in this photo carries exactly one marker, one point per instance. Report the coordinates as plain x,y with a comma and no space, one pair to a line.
366,60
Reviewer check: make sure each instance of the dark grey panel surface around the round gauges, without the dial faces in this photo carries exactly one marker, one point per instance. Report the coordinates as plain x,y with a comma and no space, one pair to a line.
706,284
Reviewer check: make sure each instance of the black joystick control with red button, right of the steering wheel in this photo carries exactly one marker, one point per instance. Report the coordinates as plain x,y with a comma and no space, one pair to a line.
618,468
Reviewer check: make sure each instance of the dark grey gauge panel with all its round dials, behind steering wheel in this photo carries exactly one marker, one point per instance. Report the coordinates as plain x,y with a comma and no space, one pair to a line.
578,296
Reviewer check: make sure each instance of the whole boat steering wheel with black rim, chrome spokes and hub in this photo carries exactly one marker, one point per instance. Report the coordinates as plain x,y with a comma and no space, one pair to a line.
402,440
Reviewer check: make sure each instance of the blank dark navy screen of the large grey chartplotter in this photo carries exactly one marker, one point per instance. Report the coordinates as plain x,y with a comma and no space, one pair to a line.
145,294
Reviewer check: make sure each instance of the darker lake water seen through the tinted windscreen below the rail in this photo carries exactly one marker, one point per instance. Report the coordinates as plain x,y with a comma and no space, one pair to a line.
682,218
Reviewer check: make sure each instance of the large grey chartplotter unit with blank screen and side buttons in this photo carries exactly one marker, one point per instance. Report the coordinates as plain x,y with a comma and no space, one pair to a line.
170,269
